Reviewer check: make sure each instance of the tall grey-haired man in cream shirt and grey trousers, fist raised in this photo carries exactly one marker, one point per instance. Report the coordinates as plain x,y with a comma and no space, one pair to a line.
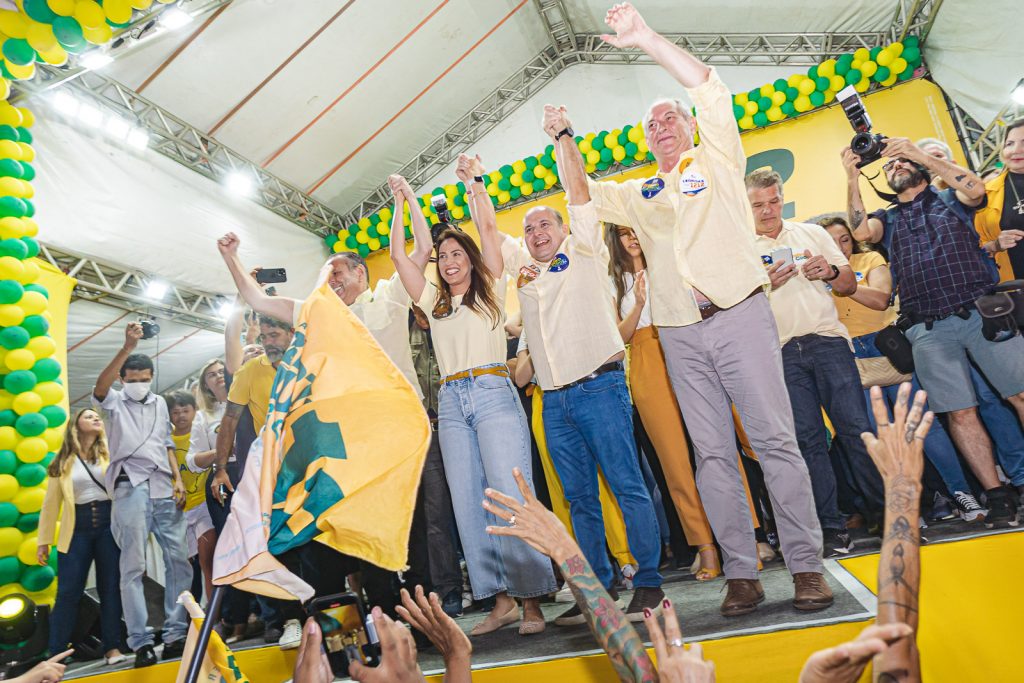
715,325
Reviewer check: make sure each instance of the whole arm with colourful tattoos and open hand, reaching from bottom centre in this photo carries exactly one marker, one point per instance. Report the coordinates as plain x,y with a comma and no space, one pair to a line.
540,528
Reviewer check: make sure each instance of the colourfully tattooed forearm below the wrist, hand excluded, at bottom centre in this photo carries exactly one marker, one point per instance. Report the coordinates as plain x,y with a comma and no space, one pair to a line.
608,623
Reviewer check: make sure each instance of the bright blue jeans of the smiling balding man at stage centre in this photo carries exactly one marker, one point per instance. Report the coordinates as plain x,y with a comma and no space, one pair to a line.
591,425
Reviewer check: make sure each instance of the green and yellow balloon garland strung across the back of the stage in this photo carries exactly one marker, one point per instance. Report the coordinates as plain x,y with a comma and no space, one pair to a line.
626,147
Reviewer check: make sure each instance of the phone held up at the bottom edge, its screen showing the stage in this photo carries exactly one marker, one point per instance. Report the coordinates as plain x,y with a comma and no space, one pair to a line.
348,634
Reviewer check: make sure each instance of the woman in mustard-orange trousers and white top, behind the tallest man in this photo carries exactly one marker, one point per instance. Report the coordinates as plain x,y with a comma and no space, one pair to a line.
652,392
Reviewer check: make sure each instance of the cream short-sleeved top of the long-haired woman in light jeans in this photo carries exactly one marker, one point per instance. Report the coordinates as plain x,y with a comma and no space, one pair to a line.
466,338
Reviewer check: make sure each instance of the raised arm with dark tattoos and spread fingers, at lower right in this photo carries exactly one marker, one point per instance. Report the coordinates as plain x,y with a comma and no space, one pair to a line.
899,453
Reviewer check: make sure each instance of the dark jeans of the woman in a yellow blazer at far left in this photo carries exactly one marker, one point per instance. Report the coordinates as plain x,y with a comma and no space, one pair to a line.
93,541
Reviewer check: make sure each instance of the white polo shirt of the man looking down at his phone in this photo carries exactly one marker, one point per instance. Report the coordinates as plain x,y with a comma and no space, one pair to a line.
804,307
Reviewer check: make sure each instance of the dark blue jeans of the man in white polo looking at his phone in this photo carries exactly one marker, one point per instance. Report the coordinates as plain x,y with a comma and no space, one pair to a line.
821,373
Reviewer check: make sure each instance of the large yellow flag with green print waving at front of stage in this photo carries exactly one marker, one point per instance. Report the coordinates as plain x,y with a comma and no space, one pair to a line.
343,451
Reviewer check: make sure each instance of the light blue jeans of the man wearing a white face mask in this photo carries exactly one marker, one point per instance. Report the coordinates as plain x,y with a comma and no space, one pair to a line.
135,516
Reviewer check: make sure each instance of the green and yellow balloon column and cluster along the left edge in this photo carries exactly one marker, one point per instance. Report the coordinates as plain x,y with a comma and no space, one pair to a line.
32,417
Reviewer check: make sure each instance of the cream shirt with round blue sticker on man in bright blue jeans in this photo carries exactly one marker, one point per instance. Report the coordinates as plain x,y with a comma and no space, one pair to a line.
566,307
